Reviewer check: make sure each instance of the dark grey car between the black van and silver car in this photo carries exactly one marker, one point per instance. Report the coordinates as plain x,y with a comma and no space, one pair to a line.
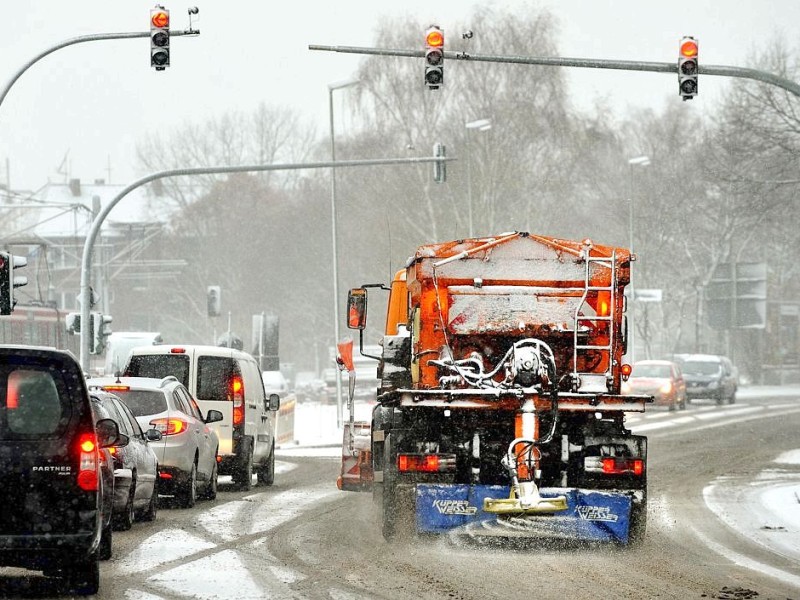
135,465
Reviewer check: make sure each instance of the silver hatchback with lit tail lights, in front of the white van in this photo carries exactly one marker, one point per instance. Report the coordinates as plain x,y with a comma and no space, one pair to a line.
187,452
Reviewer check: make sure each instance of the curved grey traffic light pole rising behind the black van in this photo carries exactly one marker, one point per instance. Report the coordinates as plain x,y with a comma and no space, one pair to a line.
94,231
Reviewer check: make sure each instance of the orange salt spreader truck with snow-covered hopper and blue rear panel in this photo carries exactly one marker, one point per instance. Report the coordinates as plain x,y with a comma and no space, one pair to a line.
499,410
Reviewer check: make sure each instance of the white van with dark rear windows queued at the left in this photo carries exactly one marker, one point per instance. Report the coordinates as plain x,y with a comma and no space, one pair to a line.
227,380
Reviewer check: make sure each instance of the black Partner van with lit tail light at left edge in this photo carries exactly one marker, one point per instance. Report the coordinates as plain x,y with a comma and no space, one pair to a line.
51,485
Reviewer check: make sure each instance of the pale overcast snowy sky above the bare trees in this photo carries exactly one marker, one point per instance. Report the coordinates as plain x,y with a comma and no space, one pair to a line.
93,102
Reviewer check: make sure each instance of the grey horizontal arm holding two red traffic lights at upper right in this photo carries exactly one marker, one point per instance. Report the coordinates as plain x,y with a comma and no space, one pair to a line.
587,63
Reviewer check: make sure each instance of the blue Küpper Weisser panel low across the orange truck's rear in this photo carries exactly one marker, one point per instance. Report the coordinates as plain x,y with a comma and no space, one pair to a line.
591,515
